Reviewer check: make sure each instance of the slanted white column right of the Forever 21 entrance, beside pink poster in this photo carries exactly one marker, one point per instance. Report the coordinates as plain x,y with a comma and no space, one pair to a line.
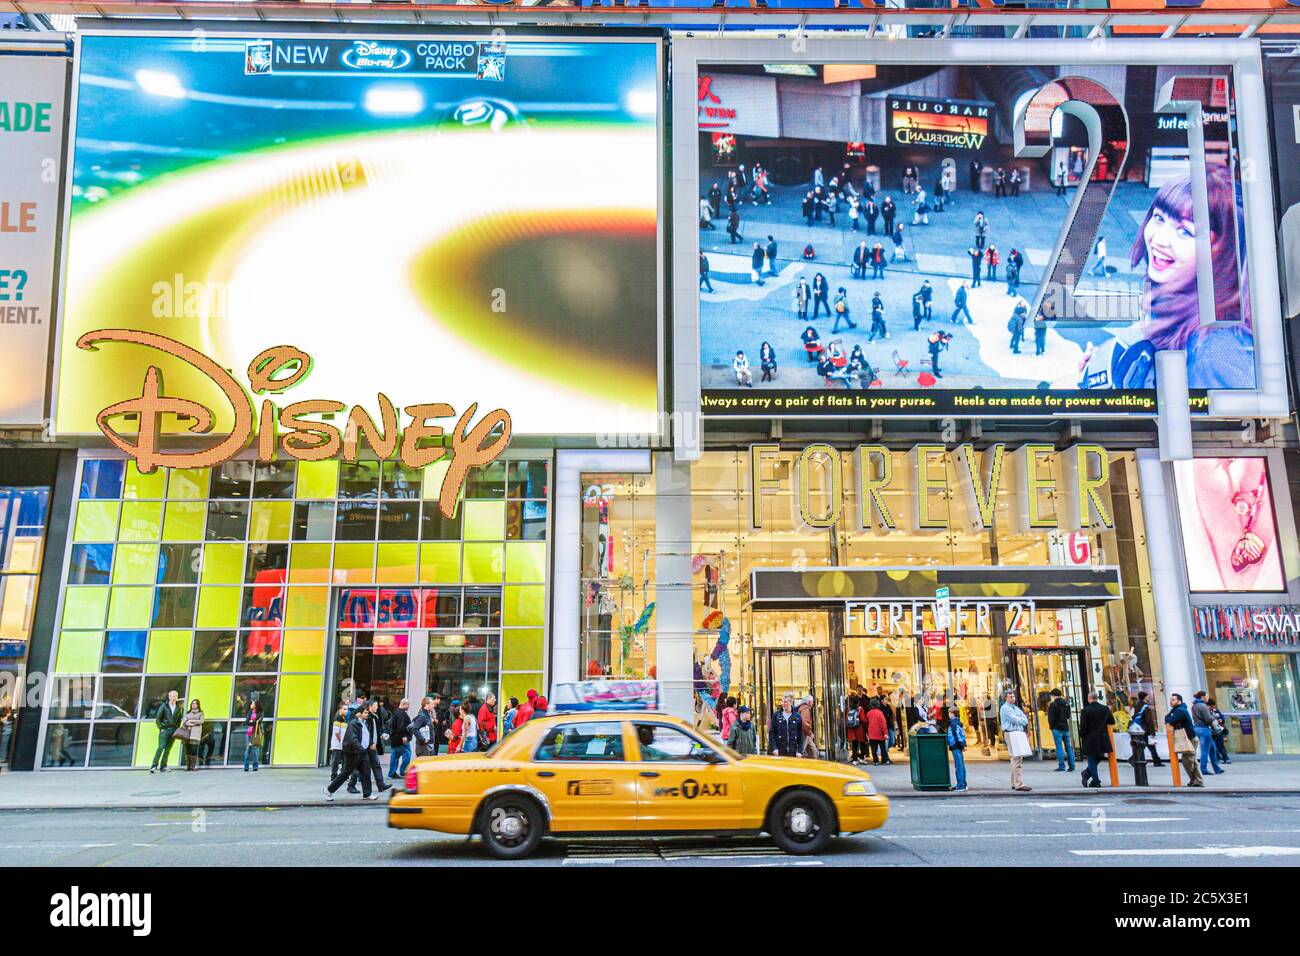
1180,663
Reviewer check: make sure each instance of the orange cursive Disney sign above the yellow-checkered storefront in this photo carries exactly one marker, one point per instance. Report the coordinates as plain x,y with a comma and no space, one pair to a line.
305,439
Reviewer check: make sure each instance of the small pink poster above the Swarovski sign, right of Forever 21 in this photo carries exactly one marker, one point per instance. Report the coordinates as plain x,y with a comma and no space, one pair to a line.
1230,535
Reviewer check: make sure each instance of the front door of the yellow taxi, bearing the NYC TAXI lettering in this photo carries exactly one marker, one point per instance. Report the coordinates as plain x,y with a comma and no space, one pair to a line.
683,782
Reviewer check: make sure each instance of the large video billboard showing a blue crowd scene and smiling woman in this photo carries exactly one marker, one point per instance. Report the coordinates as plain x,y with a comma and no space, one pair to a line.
876,245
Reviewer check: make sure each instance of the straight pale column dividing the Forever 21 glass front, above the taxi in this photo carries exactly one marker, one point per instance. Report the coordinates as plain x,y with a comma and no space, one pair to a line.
673,620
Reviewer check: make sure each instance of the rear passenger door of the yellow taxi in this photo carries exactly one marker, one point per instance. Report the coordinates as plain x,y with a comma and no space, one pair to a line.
580,768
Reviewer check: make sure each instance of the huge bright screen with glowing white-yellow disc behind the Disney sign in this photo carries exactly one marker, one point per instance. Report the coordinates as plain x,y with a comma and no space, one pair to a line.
435,219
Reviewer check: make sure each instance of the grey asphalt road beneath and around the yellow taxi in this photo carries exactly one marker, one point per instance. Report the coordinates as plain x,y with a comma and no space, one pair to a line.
1084,832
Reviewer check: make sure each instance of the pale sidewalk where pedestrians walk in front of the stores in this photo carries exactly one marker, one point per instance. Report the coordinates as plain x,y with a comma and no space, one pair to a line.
219,789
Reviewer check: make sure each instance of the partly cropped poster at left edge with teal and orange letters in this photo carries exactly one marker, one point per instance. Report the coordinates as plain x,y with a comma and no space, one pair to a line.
32,149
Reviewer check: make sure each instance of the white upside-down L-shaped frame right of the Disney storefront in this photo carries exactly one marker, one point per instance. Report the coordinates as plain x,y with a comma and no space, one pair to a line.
567,544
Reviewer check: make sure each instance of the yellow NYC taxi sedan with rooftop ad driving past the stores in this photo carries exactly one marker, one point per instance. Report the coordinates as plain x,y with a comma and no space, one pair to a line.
613,773
